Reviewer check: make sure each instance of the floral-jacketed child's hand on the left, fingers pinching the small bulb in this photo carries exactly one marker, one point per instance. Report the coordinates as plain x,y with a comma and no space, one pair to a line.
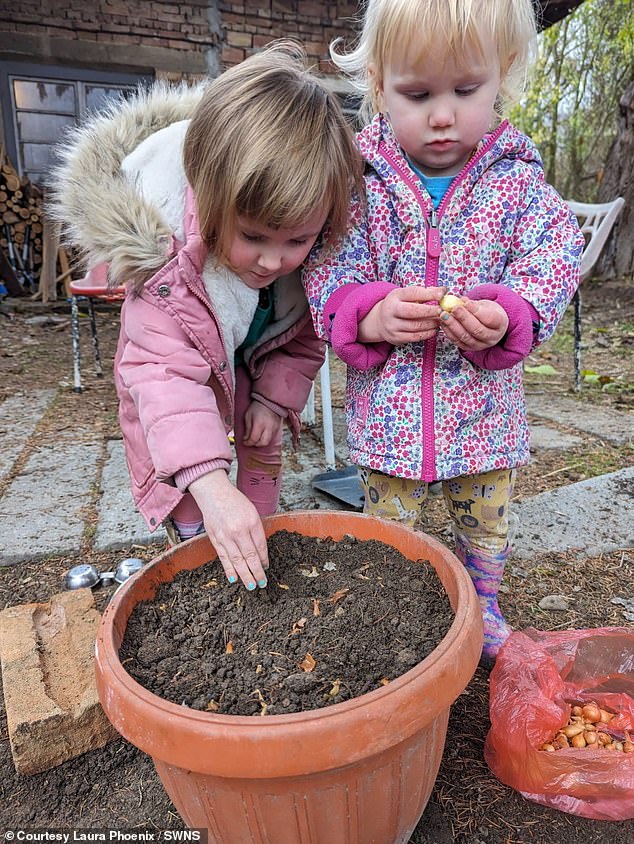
406,315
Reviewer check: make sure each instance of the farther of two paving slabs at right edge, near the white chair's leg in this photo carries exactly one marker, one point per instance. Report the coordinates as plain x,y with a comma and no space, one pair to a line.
606,424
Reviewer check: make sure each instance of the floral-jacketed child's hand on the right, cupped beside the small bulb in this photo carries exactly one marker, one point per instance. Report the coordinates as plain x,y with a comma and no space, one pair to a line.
474,326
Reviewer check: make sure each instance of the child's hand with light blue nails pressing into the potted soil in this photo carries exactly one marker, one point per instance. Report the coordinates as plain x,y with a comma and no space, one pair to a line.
234,528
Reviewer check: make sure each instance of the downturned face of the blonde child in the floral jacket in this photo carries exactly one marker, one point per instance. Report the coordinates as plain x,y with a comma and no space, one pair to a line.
440,109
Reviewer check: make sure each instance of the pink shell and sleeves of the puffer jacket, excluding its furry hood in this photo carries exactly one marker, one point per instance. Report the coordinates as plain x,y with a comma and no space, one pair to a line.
170,353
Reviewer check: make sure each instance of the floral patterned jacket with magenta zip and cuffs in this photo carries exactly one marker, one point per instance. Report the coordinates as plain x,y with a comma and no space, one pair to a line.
427,410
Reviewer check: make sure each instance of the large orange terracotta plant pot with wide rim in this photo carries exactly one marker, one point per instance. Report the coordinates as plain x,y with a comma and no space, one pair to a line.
357,772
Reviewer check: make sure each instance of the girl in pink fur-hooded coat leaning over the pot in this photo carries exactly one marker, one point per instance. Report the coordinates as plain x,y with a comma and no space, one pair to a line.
205,202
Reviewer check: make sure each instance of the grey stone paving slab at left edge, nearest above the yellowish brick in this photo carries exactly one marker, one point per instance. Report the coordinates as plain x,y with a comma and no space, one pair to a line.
41,511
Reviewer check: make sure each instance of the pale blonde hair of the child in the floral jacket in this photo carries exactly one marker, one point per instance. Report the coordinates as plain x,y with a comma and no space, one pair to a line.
413,27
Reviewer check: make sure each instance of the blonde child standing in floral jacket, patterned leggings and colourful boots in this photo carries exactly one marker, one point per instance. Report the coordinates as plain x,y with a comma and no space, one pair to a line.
456,202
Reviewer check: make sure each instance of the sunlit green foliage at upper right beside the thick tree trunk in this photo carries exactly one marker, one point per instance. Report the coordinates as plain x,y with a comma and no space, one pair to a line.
571,111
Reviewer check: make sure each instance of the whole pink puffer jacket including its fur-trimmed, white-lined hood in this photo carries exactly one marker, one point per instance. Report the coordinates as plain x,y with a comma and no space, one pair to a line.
123,197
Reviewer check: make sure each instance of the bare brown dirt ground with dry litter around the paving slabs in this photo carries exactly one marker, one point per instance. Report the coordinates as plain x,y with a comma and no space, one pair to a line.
117,787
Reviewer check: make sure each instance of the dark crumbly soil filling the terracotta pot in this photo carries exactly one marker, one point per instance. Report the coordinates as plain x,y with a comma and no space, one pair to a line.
337,620
